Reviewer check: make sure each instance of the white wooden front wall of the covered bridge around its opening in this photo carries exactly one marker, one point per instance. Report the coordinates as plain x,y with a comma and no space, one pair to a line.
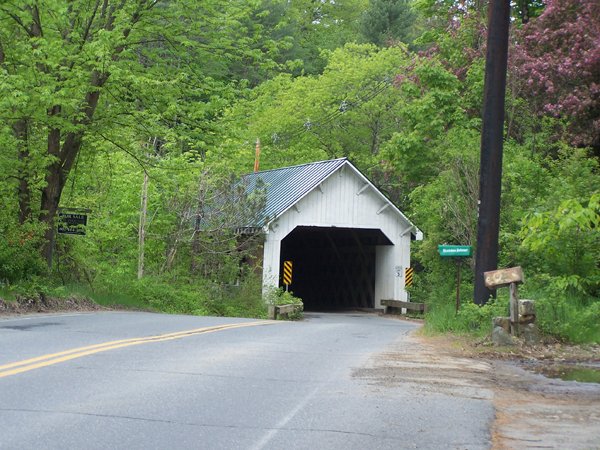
338,203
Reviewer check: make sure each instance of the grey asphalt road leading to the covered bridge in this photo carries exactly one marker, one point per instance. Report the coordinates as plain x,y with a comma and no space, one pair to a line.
149,381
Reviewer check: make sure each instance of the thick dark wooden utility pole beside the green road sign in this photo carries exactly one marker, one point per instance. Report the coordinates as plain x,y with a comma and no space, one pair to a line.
492,134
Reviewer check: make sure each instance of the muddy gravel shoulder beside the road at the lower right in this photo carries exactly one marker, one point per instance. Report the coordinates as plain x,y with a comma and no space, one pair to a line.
532,411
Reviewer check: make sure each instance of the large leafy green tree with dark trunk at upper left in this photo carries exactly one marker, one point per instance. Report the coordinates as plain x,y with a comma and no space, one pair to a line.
76,73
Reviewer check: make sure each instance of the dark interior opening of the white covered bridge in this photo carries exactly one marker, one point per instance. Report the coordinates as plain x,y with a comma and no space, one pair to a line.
333,268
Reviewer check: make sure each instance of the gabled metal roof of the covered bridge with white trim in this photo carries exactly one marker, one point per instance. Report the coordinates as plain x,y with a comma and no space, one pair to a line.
286,186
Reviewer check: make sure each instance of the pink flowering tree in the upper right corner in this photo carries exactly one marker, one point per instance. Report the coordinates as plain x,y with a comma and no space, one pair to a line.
557,61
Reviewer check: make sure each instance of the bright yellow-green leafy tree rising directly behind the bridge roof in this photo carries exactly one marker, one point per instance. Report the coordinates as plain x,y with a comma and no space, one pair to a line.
349,110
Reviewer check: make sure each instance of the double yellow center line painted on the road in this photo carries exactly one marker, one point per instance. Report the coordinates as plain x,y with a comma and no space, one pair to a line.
67,355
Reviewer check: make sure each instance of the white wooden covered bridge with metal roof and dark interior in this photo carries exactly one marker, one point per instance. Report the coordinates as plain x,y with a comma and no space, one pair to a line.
348,244
